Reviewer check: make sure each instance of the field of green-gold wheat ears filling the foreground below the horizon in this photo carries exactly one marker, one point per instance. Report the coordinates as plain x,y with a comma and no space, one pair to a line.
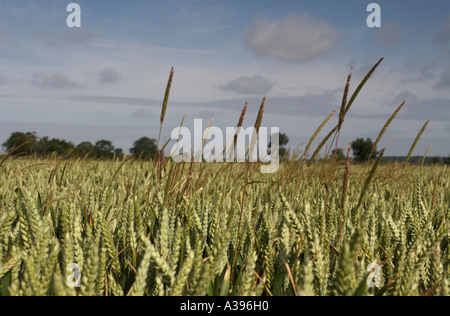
160,228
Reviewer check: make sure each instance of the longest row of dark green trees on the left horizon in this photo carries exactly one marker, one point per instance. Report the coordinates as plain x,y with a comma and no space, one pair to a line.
145,148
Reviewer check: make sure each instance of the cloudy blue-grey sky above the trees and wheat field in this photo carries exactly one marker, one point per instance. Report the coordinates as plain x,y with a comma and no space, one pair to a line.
107,79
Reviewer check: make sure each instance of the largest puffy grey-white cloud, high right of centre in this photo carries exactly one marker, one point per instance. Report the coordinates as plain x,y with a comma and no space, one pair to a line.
296,37
